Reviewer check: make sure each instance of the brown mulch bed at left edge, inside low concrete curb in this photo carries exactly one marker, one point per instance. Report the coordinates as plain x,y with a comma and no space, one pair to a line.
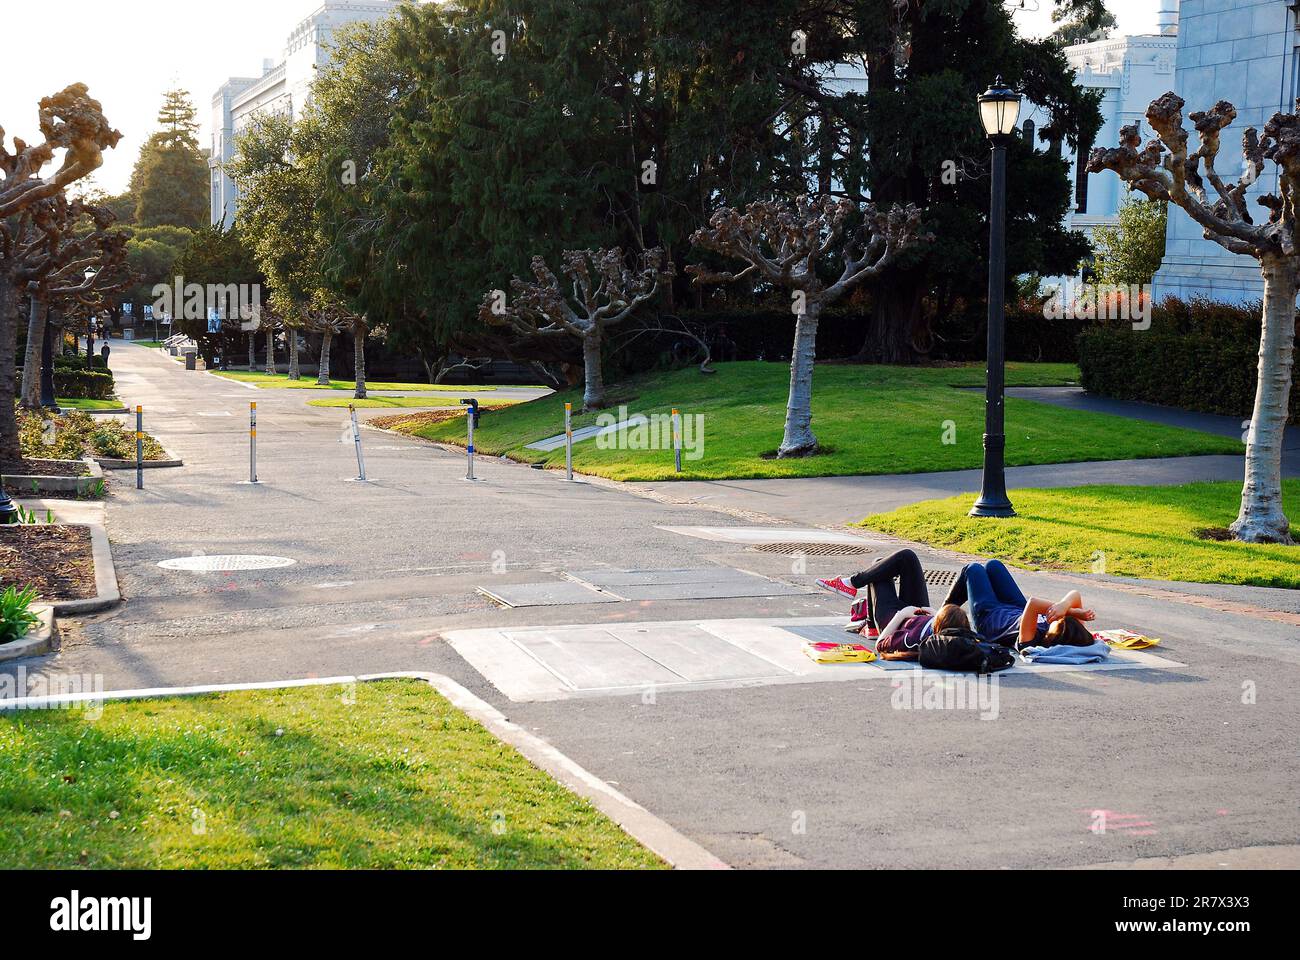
58,561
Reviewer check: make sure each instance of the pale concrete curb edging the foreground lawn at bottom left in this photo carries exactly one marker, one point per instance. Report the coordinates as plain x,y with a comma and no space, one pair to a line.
657,836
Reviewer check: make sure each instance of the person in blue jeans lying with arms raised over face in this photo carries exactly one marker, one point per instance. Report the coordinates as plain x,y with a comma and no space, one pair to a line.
1006,616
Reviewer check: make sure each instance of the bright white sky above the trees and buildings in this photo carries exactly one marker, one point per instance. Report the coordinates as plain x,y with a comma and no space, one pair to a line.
131,51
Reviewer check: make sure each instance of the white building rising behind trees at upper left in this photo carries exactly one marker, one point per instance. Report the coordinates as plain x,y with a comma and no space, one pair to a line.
284,88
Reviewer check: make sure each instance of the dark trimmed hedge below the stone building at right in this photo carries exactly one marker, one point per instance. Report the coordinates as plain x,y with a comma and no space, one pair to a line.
1197,357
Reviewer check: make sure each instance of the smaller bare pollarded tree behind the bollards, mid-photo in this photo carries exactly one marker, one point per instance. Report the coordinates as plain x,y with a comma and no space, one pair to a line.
605,292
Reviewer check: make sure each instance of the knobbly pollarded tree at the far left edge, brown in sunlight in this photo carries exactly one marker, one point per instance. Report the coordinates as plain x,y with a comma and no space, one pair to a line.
71,122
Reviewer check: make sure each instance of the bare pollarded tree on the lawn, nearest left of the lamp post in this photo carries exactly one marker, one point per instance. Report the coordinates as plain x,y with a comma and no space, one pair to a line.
787,245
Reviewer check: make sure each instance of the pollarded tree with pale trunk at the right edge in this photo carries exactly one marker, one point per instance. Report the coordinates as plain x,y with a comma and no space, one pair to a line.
1165,170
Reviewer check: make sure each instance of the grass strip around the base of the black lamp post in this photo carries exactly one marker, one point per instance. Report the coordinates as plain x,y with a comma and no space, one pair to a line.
1125,531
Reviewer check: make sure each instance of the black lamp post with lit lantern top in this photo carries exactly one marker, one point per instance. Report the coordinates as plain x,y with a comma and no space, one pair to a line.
999,113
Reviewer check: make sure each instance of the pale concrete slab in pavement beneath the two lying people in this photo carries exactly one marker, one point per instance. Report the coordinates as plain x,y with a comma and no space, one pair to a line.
575,661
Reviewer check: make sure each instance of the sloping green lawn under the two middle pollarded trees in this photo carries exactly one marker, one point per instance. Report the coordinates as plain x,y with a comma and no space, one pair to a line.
869,420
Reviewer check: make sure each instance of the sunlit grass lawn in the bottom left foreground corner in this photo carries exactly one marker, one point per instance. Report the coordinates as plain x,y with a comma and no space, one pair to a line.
293,779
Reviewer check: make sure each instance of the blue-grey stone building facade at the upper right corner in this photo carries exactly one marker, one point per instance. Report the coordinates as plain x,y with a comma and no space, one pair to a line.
1242,51
